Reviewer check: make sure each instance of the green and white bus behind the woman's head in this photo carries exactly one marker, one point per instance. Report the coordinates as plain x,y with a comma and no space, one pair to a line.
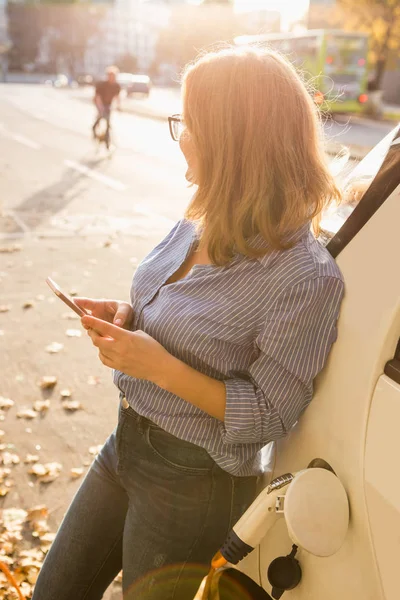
335,60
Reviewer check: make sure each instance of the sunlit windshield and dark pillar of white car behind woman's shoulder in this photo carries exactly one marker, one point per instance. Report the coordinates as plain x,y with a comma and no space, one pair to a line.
365,188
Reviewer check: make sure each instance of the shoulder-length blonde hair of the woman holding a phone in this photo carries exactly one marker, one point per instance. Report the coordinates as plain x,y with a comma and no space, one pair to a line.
260,167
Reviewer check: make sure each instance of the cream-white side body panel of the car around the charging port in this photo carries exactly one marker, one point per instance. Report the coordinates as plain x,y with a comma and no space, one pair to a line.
345,425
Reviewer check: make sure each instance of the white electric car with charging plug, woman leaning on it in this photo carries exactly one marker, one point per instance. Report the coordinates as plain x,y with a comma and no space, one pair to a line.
352,423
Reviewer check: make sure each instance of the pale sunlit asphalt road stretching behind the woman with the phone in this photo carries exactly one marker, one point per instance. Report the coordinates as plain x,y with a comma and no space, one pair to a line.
85,219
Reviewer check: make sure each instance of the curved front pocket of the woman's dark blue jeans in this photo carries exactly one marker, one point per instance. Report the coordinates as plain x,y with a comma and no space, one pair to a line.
178,454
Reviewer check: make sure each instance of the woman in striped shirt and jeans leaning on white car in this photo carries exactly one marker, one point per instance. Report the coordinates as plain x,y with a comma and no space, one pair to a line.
233,314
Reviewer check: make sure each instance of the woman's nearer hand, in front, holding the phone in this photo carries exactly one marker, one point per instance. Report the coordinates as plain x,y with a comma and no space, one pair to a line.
133,352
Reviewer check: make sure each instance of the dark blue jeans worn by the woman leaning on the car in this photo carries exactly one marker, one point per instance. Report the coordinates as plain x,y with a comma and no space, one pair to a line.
151,504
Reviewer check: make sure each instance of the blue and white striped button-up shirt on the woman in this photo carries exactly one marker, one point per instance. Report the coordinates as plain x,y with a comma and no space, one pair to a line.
263,326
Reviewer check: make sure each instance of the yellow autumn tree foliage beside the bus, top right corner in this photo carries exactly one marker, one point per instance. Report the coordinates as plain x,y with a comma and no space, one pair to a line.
381,20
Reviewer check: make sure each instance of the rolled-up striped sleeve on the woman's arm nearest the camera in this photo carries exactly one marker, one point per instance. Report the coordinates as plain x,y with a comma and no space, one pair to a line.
293,346
